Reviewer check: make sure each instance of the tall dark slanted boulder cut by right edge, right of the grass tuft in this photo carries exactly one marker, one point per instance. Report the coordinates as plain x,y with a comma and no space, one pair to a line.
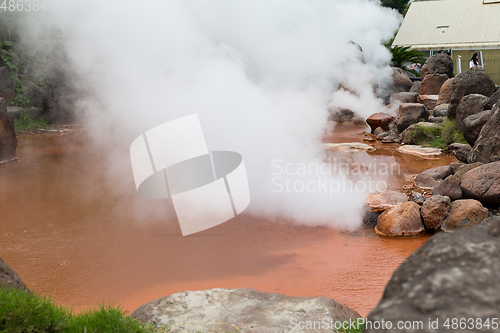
487,146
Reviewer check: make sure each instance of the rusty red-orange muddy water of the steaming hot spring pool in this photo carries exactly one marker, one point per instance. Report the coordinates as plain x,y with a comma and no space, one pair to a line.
69,234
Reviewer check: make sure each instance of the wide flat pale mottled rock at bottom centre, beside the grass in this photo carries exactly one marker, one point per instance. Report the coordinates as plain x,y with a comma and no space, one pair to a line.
239,310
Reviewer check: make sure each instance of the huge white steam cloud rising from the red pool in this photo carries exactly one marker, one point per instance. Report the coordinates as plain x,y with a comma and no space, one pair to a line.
260,74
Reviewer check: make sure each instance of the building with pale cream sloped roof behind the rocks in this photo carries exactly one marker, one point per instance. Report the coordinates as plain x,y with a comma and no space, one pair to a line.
460,26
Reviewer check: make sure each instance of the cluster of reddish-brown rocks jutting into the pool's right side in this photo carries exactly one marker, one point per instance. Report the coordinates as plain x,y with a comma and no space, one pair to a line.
456,194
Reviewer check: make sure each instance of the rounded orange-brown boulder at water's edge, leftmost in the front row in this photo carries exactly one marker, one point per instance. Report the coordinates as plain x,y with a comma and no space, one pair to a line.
402,220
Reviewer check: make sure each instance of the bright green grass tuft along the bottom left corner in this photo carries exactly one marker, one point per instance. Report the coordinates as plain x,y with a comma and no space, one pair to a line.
22,312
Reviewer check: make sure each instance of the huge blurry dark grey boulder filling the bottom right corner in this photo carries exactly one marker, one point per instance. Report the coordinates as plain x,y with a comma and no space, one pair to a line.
453,275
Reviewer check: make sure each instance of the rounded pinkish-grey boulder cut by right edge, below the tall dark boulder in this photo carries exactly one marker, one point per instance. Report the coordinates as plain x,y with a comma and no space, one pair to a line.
483,183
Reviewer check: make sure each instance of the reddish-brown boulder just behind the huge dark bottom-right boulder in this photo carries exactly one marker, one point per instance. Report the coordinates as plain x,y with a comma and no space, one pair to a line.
464,213
